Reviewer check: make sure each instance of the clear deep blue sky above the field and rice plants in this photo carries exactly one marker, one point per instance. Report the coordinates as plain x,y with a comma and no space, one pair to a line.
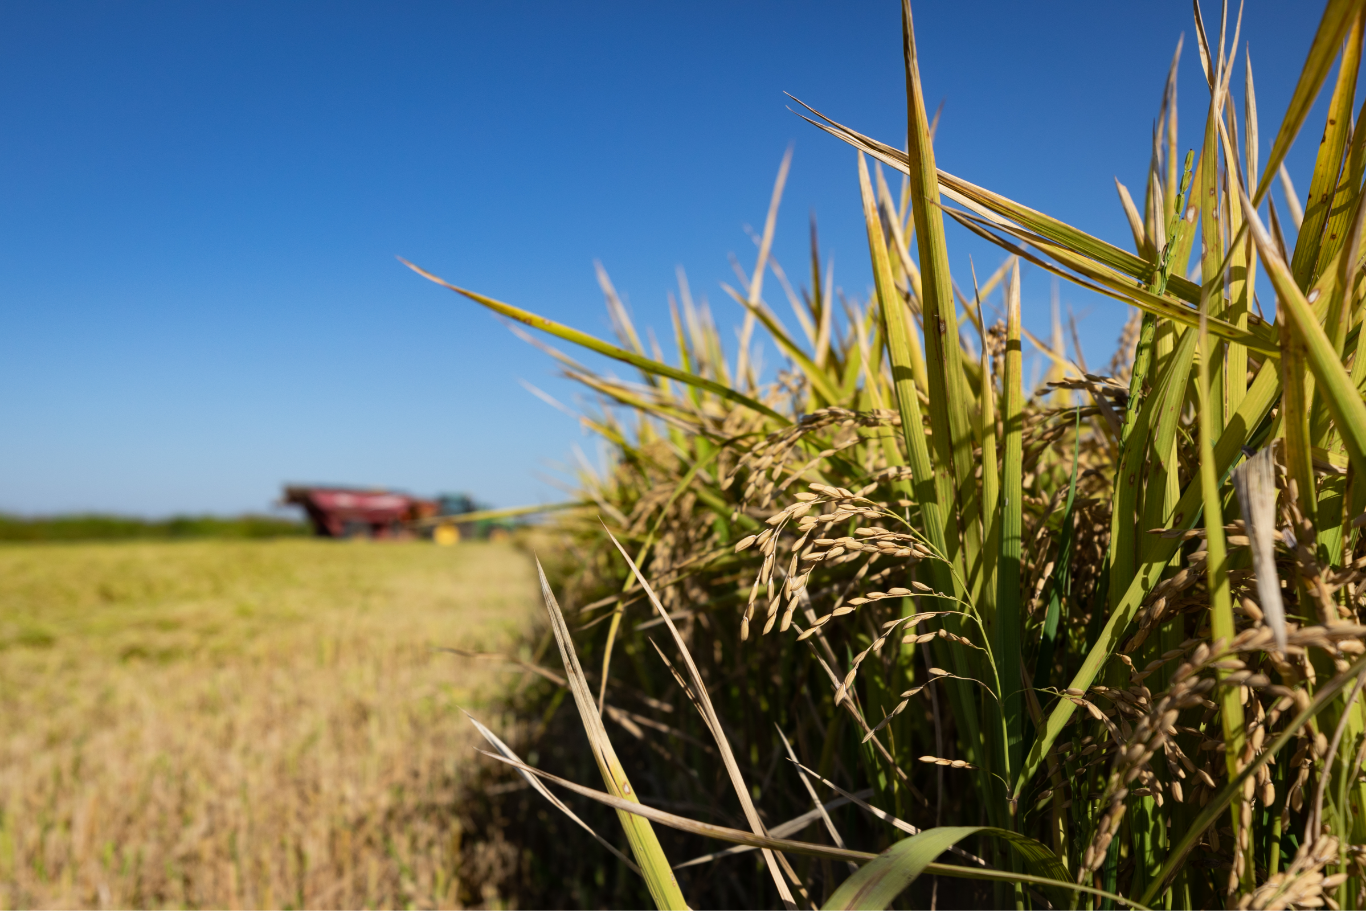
201,206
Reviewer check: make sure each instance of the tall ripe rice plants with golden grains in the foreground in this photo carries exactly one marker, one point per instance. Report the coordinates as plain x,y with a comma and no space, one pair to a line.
1092,645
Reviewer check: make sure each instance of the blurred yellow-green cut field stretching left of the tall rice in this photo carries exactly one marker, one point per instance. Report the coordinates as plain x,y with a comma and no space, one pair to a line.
248,725
